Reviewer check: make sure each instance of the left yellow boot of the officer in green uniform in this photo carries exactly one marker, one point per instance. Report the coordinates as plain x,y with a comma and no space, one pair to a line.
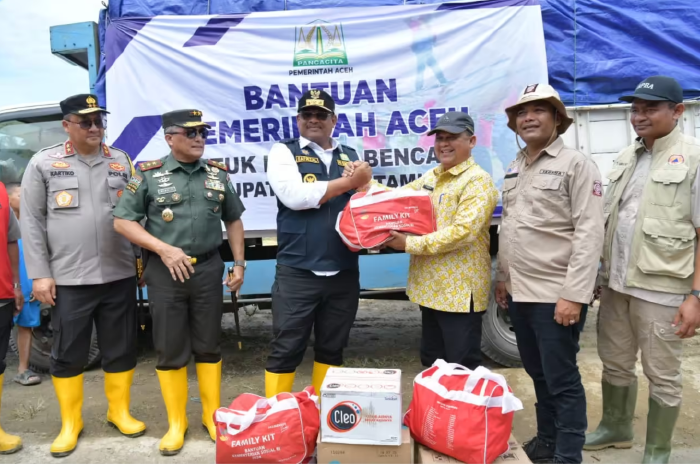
173,386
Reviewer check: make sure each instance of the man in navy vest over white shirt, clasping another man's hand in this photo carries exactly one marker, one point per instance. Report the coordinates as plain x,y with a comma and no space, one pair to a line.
317,281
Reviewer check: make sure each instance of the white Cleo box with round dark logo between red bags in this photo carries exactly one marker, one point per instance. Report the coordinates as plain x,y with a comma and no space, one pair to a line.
361,407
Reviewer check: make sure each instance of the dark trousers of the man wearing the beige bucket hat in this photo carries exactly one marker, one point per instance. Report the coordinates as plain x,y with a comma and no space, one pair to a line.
548,352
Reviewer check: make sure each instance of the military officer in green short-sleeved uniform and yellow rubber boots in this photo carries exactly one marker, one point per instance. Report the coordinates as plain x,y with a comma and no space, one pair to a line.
184,199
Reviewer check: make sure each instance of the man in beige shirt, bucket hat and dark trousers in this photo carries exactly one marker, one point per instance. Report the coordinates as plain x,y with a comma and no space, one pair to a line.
549,248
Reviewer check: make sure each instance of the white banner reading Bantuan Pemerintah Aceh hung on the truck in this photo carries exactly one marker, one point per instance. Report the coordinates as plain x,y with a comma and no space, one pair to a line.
393,72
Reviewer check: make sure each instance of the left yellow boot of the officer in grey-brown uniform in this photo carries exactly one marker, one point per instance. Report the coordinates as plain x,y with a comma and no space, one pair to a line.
69,392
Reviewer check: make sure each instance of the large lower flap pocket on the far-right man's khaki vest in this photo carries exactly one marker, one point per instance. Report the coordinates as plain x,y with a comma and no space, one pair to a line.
668,248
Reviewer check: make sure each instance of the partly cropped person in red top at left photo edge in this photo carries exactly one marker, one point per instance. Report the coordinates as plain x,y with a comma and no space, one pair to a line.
11,299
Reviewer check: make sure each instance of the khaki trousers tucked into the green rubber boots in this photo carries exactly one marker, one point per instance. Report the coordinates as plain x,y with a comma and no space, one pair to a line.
627,324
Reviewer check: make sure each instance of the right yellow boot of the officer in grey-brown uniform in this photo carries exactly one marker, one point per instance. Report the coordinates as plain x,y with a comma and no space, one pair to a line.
118,393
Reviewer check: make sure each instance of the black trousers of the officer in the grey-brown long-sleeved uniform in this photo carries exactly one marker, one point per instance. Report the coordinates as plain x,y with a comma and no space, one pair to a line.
111,307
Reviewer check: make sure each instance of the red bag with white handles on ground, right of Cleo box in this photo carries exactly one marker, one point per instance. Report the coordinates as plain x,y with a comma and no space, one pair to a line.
462,413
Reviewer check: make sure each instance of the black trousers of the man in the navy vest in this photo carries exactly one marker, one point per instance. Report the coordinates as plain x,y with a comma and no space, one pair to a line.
301,300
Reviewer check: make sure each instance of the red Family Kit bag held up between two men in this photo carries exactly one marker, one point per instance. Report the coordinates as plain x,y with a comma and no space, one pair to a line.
369,217
